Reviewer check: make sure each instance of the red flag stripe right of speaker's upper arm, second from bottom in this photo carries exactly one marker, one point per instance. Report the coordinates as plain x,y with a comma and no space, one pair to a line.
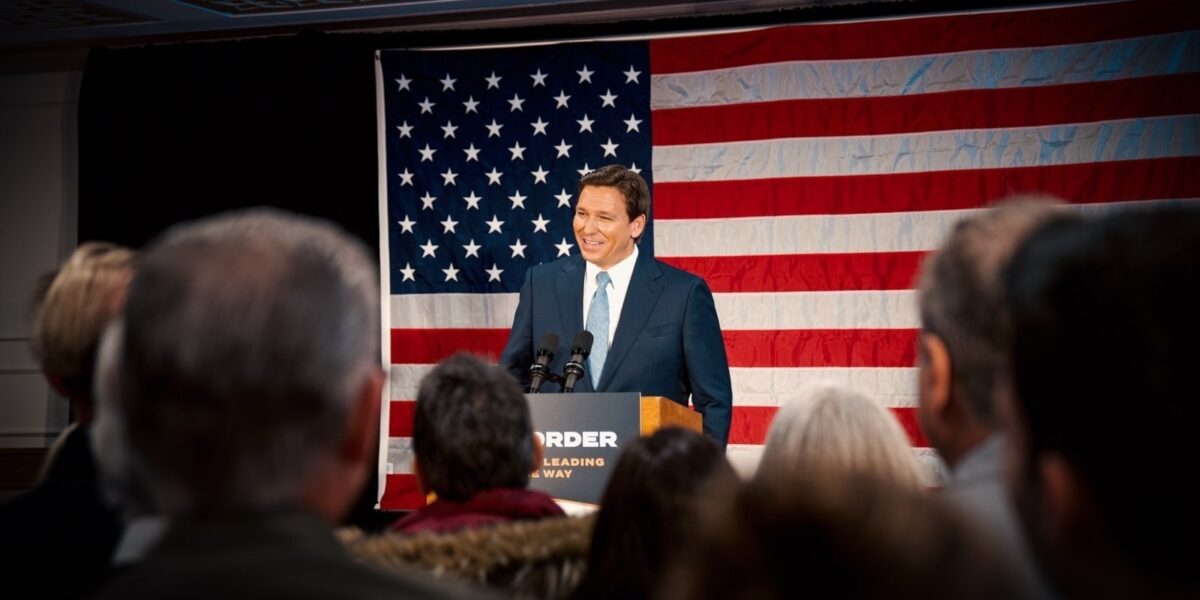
823,349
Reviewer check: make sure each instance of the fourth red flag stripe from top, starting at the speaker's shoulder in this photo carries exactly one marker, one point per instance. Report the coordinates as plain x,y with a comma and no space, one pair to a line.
805,273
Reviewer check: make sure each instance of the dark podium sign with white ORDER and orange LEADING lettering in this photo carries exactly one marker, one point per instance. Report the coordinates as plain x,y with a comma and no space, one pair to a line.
583,436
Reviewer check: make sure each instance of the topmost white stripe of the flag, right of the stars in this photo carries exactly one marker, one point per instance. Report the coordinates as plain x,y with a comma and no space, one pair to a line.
1021,68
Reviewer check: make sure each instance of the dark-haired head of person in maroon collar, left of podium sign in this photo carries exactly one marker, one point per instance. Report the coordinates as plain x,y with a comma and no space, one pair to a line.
472,430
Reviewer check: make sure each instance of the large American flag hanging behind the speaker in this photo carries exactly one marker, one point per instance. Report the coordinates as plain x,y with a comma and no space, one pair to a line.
803,171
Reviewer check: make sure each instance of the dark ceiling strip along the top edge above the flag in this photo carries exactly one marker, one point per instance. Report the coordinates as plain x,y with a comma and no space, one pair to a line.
27,25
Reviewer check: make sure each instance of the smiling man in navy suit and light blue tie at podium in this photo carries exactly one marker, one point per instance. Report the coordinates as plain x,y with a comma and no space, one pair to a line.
656,329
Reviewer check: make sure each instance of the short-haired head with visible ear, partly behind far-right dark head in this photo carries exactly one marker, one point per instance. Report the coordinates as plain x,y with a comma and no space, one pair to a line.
964,340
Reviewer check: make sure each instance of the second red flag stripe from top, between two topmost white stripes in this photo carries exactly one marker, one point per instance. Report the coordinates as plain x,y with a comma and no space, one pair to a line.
963,110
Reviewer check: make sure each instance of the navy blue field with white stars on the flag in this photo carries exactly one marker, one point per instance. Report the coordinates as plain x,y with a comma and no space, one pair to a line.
485,153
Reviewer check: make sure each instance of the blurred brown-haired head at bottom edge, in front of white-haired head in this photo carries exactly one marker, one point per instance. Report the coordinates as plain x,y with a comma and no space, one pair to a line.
835,536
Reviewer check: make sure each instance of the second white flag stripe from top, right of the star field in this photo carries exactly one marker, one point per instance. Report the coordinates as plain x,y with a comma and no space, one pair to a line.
941,151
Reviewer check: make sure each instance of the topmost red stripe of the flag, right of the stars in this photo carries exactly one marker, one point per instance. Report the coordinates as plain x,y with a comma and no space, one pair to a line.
923,35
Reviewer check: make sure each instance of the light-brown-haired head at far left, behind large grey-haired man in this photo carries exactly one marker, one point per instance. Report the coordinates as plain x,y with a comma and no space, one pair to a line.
73,309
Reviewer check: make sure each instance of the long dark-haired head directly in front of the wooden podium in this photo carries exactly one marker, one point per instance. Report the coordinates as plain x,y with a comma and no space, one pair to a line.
651,501
